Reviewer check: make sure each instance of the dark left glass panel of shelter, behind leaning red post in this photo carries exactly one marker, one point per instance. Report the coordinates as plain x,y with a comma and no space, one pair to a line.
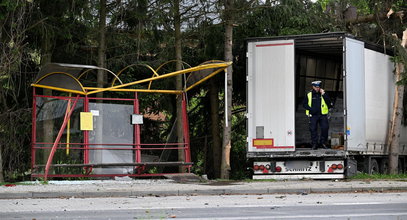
50,114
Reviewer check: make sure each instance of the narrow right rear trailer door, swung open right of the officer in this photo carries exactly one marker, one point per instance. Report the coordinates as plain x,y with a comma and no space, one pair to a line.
355,94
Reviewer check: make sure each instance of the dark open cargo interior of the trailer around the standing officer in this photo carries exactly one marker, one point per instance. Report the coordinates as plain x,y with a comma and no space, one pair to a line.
319,59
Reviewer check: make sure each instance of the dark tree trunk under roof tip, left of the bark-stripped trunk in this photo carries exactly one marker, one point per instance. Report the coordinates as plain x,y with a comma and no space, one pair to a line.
216,142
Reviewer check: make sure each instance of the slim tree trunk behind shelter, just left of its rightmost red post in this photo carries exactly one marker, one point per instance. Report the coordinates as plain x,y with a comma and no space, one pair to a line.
178,79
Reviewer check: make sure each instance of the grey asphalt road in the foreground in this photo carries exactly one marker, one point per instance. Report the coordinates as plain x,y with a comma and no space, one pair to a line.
304,206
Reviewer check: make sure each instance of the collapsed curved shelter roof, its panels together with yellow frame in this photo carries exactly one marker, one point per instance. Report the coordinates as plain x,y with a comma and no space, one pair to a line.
67,77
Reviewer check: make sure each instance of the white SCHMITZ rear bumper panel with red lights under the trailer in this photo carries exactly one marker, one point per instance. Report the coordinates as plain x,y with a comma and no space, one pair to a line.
317,169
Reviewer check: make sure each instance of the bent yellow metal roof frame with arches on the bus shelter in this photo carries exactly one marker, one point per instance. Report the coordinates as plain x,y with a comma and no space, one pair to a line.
218,66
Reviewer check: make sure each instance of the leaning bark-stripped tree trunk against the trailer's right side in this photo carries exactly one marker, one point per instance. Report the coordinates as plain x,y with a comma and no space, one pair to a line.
394,139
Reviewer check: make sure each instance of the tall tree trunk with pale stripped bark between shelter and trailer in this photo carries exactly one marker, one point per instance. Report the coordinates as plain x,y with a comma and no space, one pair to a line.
227,131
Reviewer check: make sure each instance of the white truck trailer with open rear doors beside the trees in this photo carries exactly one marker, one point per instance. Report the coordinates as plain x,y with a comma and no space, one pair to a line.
358,77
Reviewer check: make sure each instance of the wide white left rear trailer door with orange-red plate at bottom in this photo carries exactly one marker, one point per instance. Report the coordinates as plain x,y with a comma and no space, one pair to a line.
271,96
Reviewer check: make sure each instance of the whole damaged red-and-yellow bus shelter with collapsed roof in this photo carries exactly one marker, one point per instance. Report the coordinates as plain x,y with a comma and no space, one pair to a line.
78,133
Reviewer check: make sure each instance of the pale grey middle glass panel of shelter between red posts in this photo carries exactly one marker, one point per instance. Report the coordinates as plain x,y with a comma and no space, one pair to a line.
112,129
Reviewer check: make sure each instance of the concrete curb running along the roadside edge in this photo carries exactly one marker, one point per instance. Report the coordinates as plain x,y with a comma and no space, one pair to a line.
124,193
